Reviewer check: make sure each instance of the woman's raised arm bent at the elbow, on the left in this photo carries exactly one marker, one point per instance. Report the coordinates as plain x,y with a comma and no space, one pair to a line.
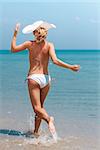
14,47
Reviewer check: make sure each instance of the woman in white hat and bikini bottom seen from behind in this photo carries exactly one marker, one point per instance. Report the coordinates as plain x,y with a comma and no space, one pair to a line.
38,77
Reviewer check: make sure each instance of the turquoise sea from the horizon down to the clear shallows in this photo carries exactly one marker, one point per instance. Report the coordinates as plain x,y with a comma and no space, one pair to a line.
74,101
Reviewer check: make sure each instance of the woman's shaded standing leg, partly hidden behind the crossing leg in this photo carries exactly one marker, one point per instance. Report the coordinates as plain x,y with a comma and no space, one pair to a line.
43,93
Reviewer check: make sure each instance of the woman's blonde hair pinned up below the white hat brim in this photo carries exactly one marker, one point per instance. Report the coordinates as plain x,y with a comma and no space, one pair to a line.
41,34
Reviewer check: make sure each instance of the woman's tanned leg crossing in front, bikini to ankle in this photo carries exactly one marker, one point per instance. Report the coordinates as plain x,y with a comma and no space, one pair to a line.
34,92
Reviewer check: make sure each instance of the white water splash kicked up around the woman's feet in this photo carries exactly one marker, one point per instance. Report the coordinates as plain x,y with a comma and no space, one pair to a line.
45,138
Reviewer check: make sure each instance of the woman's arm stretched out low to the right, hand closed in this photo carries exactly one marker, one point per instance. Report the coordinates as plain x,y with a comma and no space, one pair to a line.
58,61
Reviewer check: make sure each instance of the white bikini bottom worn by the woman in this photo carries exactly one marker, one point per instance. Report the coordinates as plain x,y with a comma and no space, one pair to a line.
41,79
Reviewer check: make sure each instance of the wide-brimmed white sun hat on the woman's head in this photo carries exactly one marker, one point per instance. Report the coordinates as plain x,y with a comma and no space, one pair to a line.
37,24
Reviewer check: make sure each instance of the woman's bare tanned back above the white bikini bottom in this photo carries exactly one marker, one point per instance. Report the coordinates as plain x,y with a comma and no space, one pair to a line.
38,58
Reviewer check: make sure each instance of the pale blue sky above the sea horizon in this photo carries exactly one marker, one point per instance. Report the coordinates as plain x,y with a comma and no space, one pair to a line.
77,22
